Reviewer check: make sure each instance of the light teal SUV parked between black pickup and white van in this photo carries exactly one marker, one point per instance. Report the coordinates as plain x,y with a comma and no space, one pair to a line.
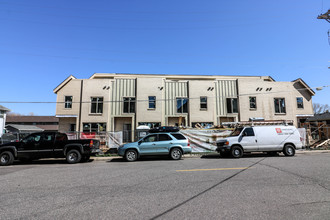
173,144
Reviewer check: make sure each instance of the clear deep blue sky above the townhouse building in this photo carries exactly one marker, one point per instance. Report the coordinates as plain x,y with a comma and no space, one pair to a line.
43,42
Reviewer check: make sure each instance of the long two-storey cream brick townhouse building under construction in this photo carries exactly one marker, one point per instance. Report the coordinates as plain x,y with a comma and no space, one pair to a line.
119,102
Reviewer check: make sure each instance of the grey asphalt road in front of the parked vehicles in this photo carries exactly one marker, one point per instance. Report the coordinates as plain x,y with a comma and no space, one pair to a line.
253,187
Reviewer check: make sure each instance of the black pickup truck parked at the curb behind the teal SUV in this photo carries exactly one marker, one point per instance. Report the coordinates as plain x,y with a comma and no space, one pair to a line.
48,145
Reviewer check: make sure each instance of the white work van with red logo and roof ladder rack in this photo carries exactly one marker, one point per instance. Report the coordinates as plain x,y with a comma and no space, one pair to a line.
271,139
